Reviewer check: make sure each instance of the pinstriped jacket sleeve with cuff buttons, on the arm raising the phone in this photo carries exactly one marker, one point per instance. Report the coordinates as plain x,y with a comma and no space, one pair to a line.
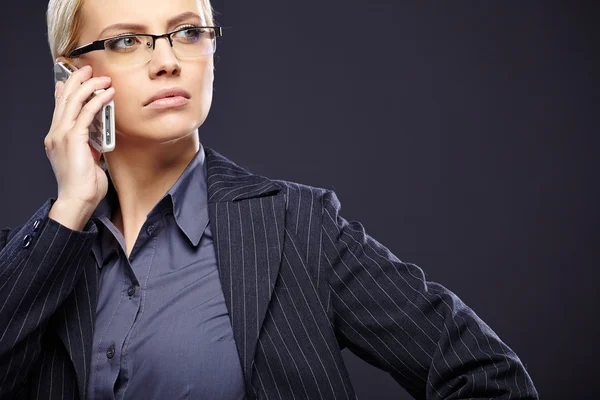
39,265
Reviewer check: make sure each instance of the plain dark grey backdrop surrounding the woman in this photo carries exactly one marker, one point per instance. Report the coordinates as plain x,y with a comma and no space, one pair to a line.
463,135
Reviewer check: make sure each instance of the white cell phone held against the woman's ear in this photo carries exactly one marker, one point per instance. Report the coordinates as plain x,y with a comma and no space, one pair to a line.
102,129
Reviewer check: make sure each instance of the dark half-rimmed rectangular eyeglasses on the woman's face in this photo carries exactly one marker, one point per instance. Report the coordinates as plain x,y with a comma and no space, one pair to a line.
130,49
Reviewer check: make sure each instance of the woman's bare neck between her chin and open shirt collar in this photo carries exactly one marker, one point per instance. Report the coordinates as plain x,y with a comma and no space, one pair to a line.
142,174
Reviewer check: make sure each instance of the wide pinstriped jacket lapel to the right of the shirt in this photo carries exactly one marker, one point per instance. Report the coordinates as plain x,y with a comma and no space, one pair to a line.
247,215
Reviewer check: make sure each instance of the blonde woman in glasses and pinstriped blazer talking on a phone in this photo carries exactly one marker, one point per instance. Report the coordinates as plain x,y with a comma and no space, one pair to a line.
175,273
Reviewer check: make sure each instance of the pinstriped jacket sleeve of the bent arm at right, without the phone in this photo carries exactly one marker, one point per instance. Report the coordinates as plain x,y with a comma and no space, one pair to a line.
421,333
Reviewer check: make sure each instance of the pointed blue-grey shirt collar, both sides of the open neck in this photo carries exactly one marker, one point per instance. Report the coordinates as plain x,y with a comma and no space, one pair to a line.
188,194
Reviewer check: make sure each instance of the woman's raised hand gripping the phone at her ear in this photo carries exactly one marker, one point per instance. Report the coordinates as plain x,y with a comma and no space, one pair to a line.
82,184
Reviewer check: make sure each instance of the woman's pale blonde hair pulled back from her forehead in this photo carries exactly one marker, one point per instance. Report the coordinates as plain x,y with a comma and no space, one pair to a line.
64,21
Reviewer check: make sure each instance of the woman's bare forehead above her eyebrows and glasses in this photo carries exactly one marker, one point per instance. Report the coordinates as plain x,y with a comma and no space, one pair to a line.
98,14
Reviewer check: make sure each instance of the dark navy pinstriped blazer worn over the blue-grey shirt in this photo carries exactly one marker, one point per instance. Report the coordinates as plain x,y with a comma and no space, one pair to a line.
300,283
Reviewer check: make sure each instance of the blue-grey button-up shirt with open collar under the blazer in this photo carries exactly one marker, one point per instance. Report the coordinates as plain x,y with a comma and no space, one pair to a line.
162,329
